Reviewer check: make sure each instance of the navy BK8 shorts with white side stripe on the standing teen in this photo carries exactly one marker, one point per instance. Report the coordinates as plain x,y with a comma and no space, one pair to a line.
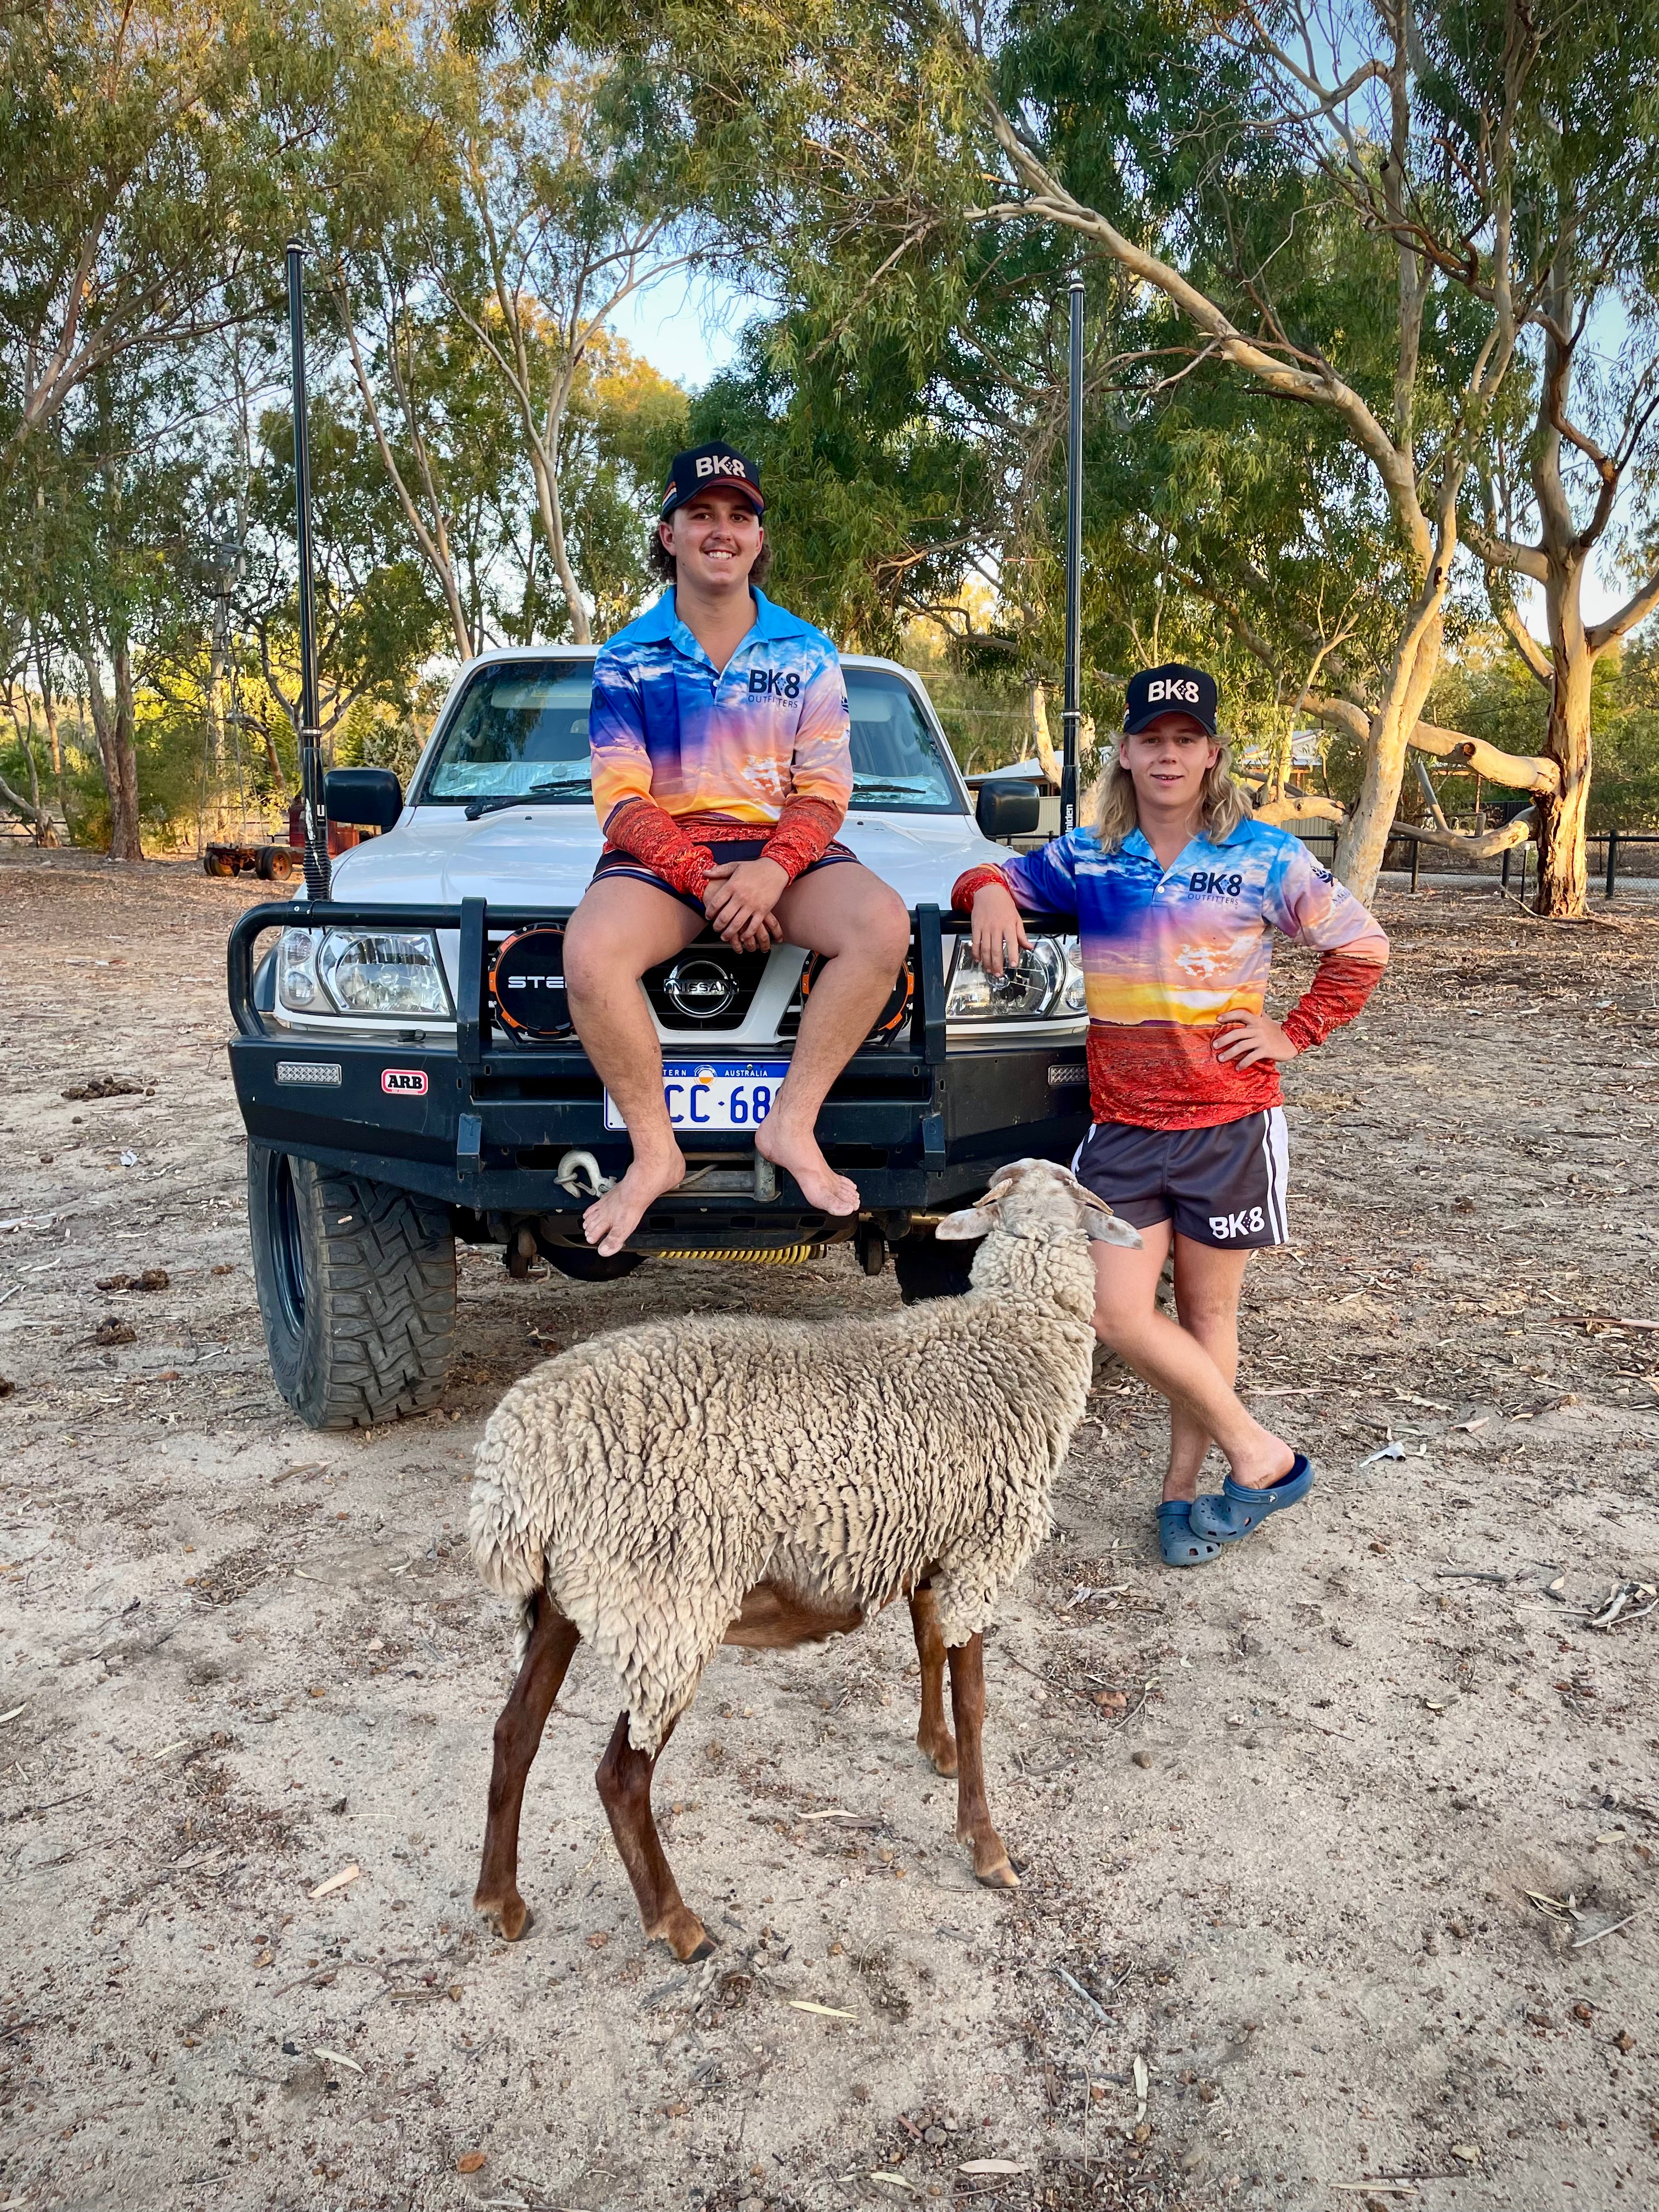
1220,1187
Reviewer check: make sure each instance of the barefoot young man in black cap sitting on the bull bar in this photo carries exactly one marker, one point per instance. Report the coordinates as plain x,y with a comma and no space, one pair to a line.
722,773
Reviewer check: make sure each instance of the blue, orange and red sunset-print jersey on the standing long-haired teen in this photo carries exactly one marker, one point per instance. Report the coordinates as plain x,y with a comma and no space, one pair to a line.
1169,952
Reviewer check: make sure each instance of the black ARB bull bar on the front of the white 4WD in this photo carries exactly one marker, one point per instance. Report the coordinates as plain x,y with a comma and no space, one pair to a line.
488,1120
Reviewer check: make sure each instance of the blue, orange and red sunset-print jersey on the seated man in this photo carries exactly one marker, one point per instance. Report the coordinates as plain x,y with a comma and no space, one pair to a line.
687,755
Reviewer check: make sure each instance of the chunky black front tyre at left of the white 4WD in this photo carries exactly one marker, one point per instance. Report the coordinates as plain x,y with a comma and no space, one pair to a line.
357,1291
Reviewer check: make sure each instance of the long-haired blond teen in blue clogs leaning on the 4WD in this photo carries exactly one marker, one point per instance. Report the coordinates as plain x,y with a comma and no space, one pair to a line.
1176,893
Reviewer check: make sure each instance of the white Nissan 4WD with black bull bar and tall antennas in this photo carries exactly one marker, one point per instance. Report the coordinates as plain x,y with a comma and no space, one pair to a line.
408,1072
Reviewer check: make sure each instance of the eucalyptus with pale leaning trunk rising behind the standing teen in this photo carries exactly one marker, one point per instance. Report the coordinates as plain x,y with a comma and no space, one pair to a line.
1324,202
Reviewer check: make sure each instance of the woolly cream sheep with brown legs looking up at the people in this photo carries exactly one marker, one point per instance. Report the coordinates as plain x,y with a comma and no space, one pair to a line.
722,1481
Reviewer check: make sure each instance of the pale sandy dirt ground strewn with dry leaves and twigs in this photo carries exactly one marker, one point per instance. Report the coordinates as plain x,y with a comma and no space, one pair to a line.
1342,1853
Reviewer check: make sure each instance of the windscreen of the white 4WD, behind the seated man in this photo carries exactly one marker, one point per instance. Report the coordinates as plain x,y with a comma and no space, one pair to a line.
521,731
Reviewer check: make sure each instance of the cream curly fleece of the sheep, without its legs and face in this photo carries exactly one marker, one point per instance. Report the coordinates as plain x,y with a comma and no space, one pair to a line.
654,1477
